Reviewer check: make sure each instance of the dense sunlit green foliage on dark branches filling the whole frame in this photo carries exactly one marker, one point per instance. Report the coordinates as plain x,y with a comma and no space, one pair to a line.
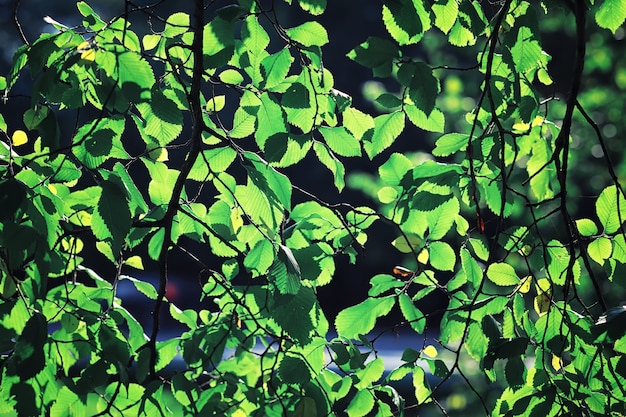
180,139
